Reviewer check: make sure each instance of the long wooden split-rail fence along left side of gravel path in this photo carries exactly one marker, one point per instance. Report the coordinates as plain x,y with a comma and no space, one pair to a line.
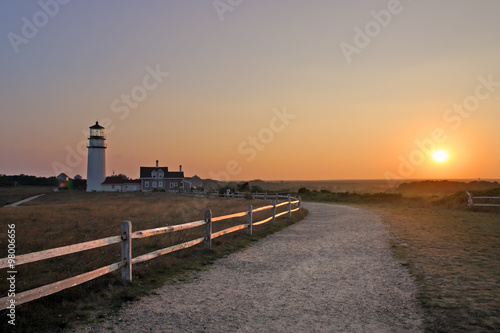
125,238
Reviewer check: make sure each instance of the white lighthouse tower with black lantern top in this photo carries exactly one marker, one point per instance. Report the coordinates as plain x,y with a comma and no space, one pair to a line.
96,161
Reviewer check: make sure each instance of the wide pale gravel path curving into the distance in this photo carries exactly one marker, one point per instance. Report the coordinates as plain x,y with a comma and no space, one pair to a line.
332,272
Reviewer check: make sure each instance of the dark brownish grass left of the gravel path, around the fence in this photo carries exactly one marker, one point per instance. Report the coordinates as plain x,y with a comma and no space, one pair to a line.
65,218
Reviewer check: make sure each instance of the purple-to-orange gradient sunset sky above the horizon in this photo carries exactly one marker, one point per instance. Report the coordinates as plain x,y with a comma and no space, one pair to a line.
232,69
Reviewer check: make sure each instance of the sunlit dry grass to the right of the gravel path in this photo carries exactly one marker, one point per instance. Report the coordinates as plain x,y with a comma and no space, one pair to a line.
455,257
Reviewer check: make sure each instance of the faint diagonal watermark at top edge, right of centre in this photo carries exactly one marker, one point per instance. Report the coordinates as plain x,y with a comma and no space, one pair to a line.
373,28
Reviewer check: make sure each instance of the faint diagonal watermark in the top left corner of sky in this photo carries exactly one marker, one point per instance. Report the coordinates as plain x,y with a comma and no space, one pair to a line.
31,26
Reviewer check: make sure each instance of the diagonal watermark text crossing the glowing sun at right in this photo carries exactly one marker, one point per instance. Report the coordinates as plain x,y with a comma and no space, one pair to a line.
453,117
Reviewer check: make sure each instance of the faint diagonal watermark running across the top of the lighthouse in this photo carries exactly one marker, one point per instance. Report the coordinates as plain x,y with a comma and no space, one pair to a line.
121,106
